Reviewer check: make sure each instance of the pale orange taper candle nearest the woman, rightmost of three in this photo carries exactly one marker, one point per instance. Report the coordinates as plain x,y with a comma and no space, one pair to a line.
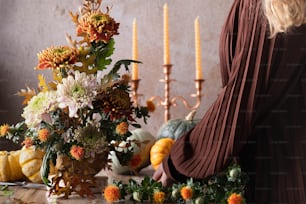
198,59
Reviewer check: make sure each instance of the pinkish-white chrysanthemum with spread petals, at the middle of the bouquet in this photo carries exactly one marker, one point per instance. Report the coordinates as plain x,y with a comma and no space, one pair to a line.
76,92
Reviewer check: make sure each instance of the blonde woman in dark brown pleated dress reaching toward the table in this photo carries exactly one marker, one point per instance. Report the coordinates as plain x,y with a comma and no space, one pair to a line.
259,118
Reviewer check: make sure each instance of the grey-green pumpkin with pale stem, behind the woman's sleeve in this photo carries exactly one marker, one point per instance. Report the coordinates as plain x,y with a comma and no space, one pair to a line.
177,127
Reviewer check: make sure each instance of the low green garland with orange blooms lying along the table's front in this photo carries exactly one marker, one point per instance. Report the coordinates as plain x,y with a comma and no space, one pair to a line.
227,188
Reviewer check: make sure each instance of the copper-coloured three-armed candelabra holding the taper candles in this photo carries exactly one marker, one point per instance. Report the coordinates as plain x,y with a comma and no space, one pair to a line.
167,101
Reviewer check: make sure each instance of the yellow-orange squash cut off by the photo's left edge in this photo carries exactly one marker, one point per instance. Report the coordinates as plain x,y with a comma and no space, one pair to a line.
10,169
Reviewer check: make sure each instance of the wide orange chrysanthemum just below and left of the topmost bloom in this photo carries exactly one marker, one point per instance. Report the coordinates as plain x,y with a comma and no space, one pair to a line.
54,57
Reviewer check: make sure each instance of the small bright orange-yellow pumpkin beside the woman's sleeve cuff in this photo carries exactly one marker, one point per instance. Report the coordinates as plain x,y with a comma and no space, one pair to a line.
160,150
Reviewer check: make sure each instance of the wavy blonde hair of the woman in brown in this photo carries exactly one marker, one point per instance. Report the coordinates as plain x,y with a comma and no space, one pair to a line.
283,14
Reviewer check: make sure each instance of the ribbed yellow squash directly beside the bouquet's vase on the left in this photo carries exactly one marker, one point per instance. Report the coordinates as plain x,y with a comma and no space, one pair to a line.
30,161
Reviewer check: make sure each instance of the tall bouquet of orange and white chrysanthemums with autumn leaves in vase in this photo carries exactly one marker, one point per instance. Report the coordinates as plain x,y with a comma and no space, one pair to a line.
85,111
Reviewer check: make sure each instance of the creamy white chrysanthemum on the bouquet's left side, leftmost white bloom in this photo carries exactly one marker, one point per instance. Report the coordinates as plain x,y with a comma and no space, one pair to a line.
38,107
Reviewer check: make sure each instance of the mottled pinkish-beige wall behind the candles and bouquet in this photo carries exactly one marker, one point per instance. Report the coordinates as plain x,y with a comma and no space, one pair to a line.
29,26
